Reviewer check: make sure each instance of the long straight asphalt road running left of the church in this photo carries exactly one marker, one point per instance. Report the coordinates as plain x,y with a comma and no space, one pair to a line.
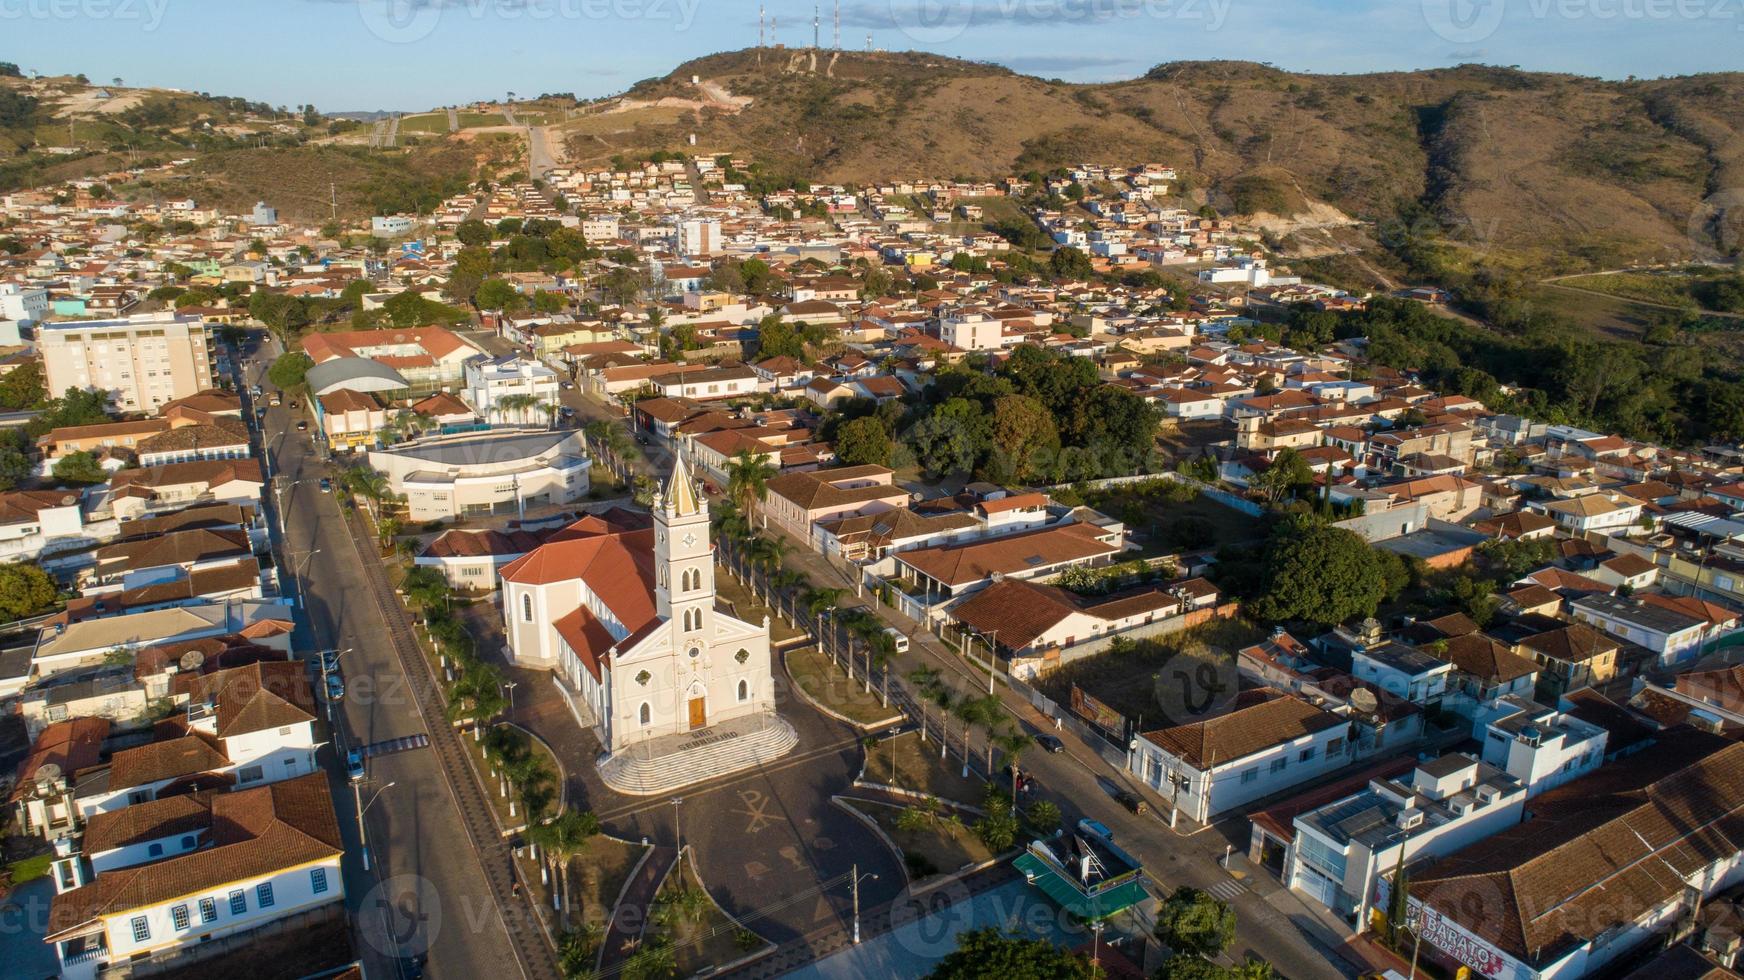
426,894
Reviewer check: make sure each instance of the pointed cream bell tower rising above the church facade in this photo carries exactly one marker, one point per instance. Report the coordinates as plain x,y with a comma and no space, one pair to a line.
685,589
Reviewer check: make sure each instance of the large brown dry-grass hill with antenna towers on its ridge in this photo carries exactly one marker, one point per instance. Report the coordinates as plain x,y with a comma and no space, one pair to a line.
1443,168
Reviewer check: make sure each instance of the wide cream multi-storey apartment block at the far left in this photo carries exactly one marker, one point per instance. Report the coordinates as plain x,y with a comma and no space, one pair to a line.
140,362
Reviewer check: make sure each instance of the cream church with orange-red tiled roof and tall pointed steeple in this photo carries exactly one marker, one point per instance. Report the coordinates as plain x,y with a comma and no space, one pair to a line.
625,618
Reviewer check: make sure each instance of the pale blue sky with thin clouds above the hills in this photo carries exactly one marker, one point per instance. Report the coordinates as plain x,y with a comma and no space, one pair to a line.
411,55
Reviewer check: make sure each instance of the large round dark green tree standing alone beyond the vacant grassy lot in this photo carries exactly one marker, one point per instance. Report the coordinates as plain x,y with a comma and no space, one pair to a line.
1319,575
